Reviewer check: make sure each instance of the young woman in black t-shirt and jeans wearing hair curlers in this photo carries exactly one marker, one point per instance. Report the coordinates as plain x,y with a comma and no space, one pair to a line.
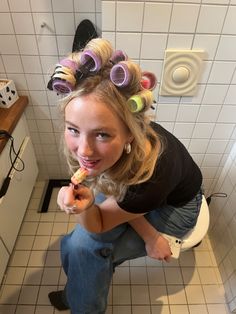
141,181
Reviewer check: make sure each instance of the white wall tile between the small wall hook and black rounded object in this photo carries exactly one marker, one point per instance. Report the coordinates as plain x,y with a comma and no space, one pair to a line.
68,25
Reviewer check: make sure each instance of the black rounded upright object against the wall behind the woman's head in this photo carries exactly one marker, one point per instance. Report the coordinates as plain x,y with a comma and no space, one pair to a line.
84,33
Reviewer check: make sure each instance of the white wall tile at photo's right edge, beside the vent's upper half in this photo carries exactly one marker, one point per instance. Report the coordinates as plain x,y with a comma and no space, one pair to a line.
222,72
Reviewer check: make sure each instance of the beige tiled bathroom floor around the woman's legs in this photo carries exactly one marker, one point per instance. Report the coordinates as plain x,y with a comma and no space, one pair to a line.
190,285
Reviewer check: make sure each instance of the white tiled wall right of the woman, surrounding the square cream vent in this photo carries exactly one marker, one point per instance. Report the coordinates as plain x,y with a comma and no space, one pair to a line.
206,122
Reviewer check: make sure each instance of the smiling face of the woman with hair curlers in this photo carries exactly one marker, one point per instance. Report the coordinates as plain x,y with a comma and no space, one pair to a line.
94,134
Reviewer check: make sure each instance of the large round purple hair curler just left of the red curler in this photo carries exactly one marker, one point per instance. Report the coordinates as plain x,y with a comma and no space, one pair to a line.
120,75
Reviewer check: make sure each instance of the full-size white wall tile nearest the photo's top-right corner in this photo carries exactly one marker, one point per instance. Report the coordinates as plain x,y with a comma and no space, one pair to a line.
211,25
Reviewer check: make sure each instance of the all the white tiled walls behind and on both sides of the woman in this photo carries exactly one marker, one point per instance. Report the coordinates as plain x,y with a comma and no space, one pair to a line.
205,123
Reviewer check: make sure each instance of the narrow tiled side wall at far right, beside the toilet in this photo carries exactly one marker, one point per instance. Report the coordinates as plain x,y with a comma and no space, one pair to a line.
223,227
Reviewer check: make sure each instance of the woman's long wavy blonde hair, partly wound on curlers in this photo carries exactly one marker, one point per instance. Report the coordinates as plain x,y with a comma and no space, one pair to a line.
138,166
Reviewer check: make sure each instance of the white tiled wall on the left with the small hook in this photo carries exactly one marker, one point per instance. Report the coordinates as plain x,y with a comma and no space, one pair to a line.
27,55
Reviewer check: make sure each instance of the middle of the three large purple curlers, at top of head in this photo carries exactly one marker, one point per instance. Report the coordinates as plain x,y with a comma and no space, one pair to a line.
90,62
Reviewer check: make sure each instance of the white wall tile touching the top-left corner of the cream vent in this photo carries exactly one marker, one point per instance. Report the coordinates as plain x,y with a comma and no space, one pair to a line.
153,46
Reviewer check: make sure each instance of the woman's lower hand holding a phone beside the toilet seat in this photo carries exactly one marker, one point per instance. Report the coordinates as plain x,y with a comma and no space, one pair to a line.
158,248
